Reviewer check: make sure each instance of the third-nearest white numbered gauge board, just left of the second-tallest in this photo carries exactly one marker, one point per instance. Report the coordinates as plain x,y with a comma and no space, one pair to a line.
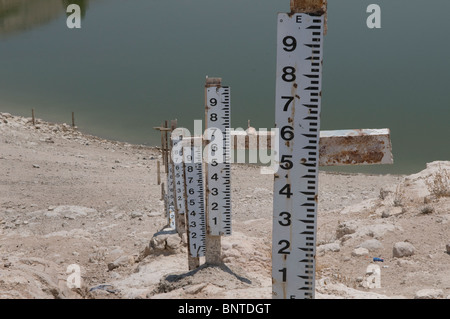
195,201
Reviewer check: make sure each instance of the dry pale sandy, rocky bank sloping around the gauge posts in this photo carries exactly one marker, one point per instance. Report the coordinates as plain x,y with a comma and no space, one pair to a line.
71,200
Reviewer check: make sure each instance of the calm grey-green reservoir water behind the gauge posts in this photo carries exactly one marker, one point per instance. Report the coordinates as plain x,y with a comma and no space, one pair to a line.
134,64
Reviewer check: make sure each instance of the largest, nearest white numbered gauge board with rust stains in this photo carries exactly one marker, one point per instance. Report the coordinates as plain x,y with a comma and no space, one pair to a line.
298,102
